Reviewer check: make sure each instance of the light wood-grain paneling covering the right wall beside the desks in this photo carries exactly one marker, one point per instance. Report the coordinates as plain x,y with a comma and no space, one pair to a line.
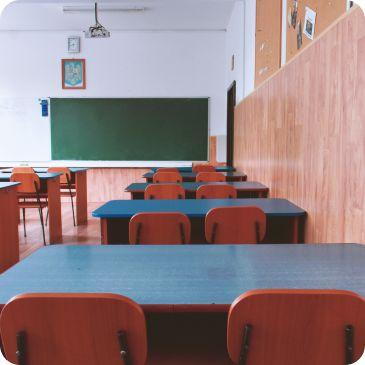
302,132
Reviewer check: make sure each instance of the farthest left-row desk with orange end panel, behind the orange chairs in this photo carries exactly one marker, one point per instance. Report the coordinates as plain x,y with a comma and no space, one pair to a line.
79,179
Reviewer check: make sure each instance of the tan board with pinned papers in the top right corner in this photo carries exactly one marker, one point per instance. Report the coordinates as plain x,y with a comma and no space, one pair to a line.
327,13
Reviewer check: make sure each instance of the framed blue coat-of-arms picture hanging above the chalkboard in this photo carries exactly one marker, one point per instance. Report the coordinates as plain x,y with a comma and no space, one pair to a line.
73,74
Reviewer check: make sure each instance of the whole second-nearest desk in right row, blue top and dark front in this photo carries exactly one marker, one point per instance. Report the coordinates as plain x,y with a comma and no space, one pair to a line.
285,221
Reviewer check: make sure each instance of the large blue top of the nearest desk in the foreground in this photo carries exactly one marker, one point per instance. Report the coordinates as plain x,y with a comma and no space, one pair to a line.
186,274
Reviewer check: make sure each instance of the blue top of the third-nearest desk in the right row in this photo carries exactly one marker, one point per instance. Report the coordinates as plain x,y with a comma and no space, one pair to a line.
193,186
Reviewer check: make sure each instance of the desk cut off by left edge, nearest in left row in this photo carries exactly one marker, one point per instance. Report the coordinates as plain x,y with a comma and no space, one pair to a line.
9,218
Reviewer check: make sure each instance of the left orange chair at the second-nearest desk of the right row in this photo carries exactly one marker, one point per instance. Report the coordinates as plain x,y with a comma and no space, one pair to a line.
159,229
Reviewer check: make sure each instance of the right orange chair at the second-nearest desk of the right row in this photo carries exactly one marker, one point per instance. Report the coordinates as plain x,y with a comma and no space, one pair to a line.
235,225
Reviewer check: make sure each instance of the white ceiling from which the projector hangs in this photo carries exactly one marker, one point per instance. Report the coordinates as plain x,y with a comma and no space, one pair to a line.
191,15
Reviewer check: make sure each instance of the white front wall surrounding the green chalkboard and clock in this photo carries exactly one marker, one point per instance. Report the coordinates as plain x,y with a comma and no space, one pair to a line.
129,64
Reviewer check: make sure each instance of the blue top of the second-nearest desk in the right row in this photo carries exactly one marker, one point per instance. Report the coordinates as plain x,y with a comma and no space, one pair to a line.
194,207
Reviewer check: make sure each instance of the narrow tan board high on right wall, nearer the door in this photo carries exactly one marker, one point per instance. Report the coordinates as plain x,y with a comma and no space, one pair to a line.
268,39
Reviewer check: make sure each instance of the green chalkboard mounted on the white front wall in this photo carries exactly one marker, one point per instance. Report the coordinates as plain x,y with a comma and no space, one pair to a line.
129,129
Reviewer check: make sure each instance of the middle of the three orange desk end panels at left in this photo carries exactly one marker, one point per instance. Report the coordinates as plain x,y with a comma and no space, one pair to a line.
54,208
